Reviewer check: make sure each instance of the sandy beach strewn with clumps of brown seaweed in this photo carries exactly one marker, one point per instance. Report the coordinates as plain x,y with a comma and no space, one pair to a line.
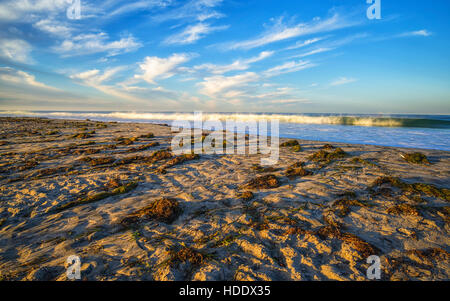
116,196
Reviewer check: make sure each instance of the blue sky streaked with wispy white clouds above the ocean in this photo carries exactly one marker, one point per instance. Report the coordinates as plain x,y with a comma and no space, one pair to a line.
324,56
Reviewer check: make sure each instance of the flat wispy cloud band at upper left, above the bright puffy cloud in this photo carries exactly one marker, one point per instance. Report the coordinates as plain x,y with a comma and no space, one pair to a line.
96,43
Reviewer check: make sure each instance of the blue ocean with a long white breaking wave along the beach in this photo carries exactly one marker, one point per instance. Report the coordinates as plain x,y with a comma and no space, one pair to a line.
409,131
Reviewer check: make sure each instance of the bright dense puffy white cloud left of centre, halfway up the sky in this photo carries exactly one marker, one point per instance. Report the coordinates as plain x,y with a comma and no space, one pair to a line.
162,68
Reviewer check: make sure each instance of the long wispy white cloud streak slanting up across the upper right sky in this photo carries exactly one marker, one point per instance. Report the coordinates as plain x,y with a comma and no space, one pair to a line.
280,31
